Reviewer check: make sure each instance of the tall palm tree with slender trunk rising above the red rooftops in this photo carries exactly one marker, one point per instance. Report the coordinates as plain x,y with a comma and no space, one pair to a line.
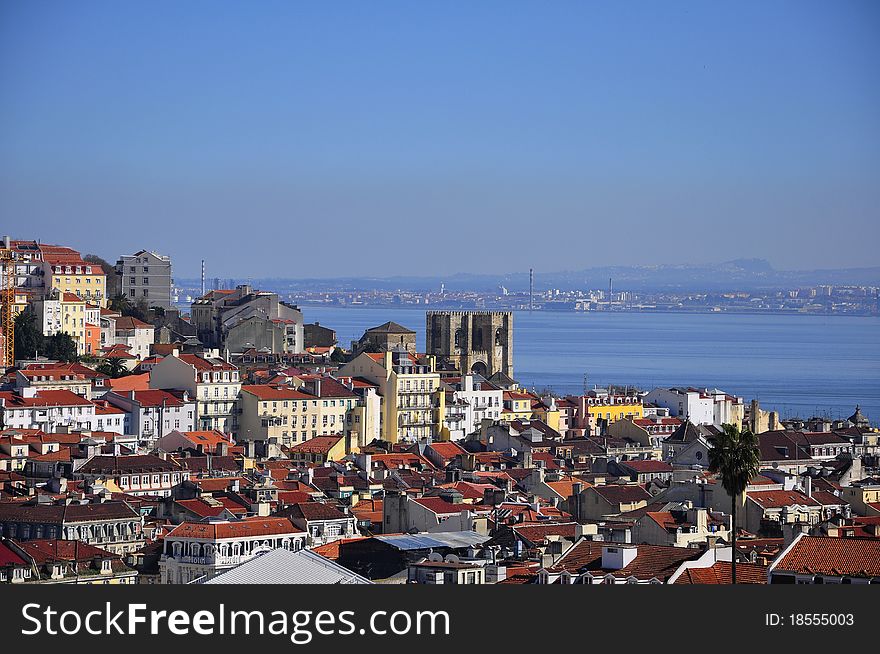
735,456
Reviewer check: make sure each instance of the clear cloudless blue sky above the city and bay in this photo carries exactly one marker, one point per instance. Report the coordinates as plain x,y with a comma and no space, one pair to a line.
323,139
